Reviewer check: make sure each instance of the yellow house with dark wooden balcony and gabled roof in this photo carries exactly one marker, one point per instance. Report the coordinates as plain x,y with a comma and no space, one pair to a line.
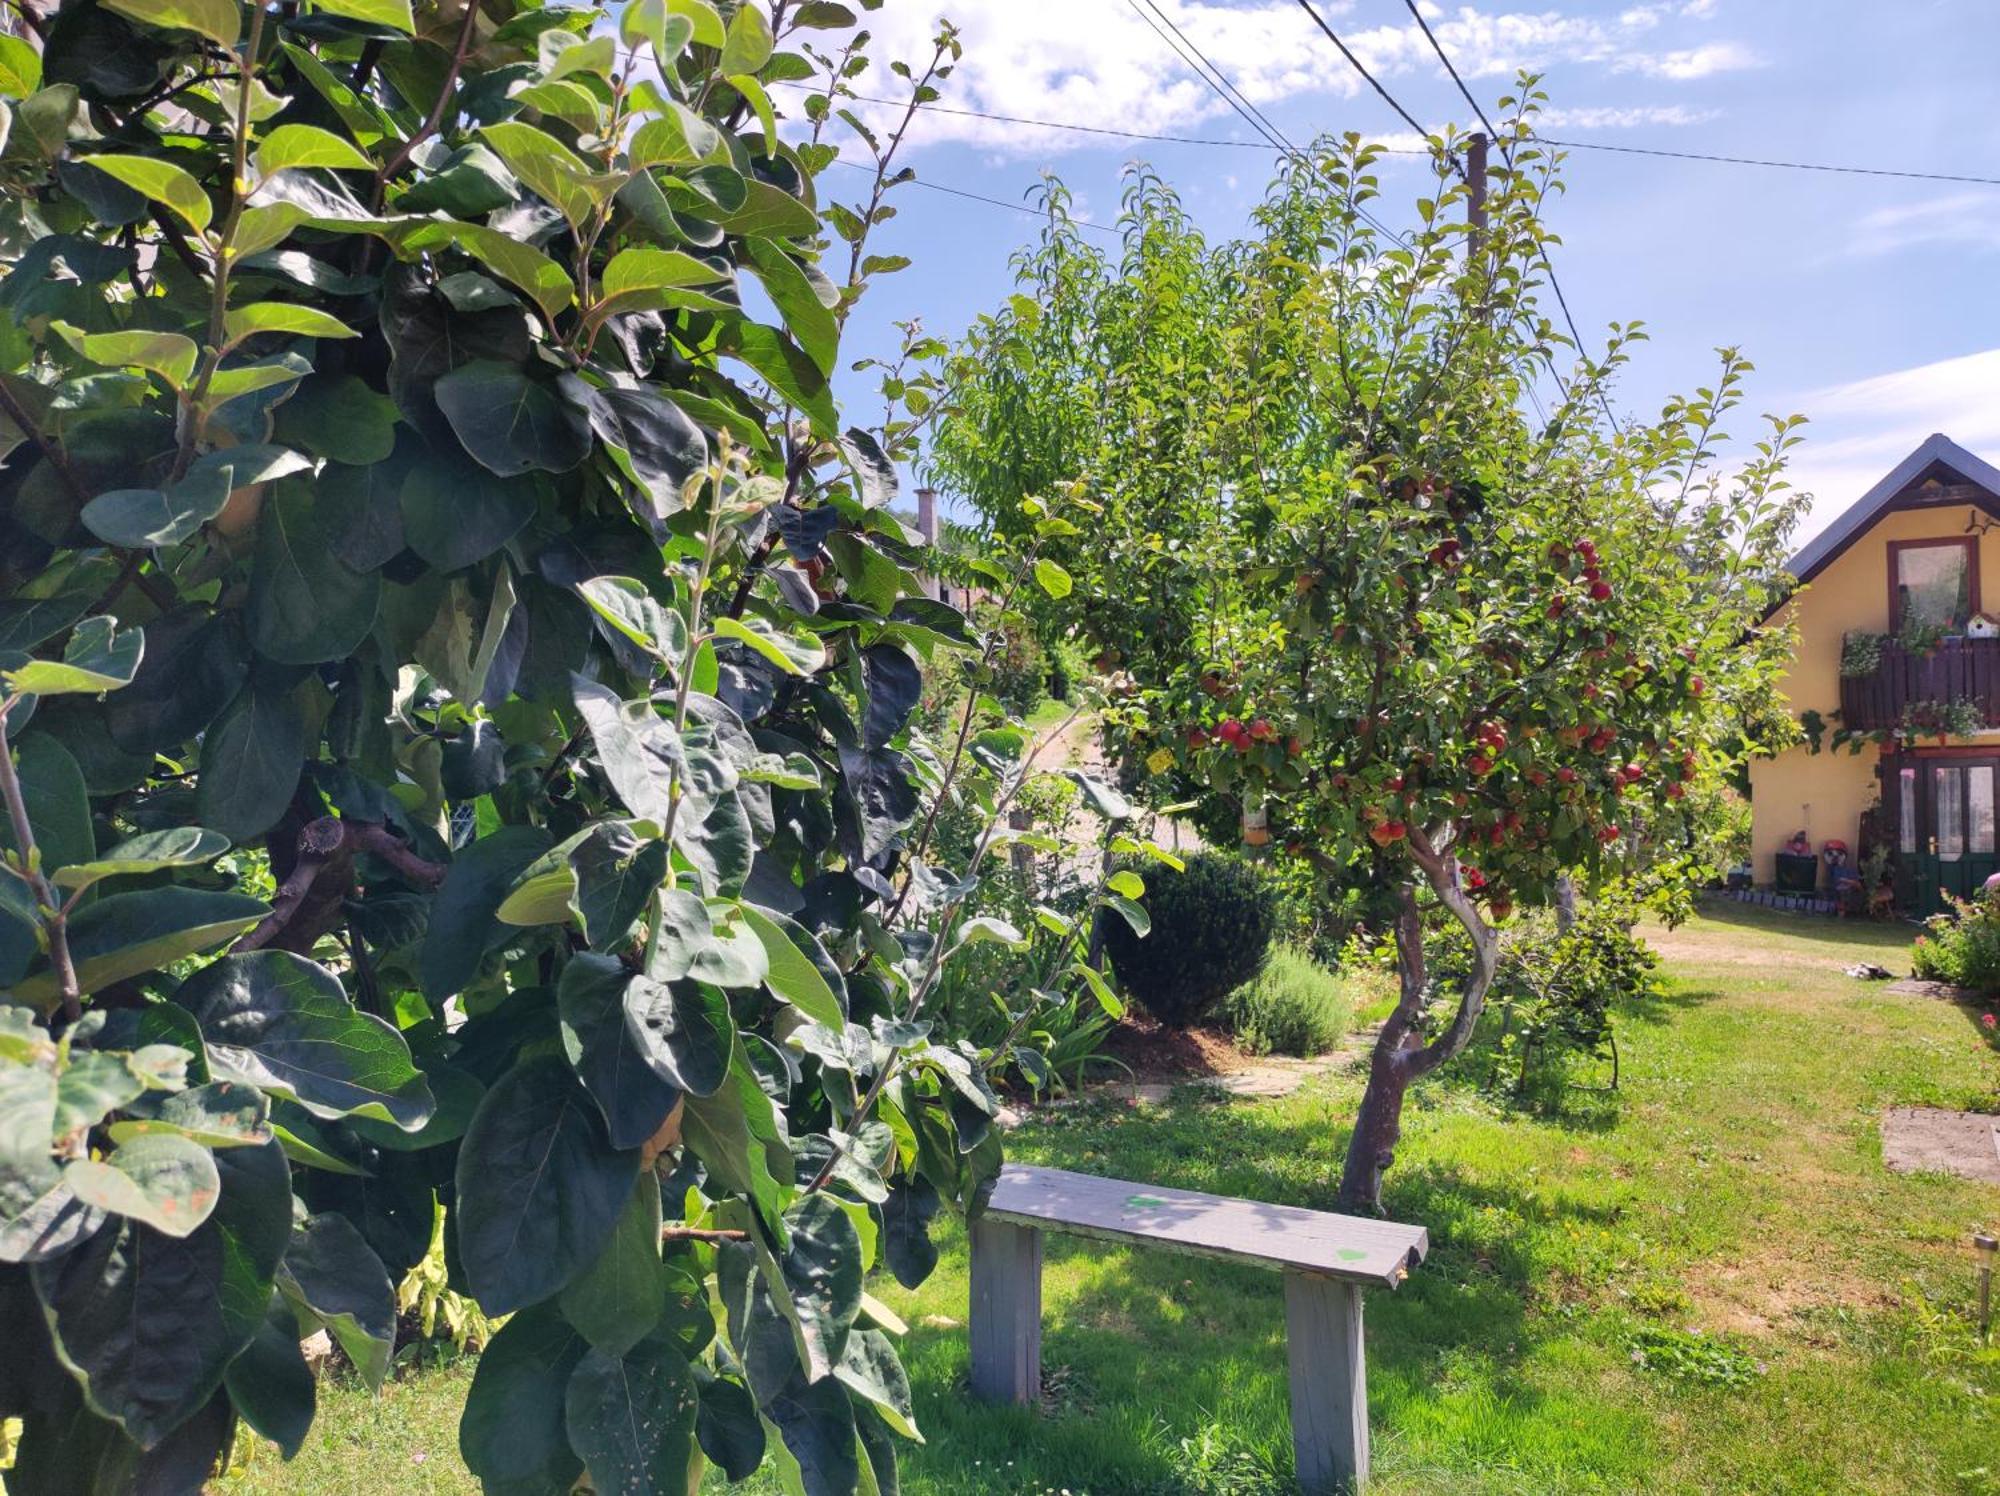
1895,649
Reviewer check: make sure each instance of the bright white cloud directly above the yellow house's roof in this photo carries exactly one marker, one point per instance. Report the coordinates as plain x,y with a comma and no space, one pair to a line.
1883,419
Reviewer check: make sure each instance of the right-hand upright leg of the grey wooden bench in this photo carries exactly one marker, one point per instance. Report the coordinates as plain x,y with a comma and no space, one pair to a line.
1323,1329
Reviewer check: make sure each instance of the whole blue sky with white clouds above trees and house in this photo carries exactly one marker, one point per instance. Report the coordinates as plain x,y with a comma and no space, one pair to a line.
1865,303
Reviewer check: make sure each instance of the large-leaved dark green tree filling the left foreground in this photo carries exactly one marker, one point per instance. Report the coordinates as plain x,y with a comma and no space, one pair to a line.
457,741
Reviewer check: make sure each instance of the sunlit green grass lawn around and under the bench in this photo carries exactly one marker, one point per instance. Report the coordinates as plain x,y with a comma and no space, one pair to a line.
1551,1341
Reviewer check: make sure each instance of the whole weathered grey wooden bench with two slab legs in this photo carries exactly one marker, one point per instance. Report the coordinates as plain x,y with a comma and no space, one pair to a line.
1327,1261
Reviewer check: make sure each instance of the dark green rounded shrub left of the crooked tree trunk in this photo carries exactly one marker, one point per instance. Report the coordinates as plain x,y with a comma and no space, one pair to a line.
1211,931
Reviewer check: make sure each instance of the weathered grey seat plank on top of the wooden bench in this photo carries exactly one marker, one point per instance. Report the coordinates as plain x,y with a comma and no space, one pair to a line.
1351,1249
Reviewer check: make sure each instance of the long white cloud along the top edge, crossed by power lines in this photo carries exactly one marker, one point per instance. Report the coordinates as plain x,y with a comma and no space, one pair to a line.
1101,63
